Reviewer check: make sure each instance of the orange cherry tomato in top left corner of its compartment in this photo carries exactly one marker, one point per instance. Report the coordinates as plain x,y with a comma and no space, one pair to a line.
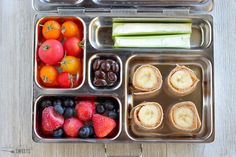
51,30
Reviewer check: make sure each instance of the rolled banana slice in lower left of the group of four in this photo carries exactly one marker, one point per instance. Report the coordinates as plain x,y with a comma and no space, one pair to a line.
148,115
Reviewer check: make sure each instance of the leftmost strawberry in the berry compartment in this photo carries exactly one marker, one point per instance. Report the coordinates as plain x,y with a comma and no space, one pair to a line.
51,120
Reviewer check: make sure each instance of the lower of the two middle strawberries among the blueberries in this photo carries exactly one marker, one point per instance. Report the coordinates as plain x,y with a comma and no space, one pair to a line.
72,126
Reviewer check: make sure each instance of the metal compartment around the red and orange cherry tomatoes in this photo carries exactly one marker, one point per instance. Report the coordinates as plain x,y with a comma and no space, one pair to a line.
78,78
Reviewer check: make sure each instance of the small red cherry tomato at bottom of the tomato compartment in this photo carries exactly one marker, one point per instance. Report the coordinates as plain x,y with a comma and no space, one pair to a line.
65,80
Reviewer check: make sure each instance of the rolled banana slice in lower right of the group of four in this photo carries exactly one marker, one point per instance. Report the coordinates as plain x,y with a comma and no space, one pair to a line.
184,116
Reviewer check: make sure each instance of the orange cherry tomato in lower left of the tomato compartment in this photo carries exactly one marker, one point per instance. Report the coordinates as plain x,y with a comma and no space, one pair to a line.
48,74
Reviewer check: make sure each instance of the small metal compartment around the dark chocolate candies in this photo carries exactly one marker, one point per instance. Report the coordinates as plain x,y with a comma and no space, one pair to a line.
107,57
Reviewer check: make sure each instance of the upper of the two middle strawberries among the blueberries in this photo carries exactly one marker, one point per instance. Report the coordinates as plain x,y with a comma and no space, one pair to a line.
85,110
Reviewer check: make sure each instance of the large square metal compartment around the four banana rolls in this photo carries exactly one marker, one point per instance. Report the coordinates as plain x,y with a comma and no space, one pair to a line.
202,97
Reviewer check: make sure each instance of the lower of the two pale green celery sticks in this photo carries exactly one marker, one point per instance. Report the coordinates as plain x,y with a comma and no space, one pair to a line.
163,41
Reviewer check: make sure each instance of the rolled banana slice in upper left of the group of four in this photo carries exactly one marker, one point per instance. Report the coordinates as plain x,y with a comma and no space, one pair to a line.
147,78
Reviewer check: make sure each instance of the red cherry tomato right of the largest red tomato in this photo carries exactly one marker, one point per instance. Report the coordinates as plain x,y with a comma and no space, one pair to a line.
73,46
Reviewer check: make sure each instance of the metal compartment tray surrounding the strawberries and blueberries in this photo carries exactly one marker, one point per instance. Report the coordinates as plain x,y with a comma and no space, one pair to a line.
41,137
